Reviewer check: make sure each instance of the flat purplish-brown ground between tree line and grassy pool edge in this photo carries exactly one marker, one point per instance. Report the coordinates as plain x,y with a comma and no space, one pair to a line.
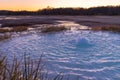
91,21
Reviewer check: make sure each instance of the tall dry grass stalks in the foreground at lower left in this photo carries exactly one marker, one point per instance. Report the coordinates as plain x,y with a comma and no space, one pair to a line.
25,69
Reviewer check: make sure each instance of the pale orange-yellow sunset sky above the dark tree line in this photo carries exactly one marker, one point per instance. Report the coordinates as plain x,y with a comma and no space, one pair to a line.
32,5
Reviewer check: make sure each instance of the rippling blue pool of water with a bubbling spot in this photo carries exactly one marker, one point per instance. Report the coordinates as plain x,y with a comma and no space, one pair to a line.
86,55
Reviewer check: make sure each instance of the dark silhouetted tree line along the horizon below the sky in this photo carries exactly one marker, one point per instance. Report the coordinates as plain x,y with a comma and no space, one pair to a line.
103,10
